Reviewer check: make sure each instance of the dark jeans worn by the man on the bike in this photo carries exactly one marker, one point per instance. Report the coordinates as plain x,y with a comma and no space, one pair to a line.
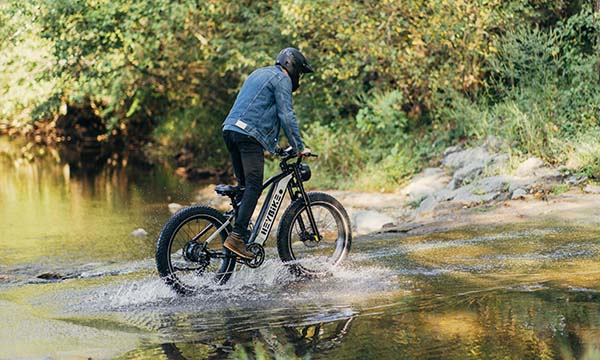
248,164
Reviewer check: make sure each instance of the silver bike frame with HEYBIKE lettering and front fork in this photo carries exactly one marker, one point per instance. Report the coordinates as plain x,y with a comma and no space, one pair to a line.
288,179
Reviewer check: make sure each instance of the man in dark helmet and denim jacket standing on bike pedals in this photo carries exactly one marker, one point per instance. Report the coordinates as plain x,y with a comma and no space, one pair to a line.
263,105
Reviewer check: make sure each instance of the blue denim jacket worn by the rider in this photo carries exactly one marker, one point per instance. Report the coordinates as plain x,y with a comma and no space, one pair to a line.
263,105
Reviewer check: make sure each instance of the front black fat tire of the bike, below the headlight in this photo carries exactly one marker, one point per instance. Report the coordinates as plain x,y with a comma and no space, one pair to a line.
284,232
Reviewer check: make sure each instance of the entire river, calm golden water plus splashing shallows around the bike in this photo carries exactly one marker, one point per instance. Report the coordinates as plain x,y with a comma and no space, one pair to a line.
531,291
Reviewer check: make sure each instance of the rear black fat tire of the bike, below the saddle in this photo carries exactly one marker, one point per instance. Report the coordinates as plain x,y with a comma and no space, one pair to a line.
167,236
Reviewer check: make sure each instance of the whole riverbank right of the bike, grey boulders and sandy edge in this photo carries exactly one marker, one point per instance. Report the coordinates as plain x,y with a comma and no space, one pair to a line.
477,187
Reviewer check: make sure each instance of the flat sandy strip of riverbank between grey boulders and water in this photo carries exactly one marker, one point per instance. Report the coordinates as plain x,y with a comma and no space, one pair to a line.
574,207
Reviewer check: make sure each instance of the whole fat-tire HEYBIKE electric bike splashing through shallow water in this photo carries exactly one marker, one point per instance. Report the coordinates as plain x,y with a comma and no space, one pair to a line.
313,236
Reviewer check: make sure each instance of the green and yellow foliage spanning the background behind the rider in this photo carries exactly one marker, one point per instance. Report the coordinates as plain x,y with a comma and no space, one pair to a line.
396,81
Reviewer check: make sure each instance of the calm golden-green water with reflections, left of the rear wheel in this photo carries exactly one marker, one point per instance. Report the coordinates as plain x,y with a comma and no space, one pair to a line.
49,210
